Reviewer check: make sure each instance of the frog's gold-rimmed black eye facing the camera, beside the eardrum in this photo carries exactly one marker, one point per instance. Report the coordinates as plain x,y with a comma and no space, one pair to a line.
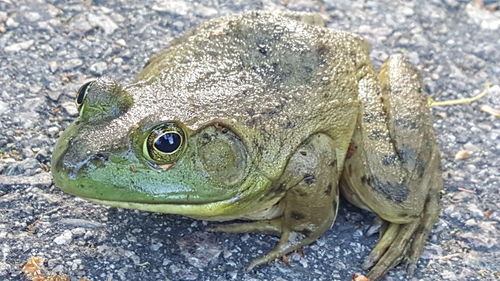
164,143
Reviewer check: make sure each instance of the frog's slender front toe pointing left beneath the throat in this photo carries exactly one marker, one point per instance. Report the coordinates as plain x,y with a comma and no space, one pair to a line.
271,227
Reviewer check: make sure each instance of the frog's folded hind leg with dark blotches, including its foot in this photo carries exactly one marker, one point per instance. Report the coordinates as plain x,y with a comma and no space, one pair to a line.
393,167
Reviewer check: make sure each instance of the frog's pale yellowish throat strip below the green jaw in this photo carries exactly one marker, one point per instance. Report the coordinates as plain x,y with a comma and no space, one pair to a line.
235,207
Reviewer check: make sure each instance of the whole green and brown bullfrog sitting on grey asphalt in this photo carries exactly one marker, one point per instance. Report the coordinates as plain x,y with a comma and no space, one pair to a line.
266,118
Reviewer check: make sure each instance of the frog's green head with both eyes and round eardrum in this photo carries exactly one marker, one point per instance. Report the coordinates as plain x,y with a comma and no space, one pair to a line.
124,155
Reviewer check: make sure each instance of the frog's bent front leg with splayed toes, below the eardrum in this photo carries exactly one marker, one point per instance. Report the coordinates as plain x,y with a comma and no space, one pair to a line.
310,203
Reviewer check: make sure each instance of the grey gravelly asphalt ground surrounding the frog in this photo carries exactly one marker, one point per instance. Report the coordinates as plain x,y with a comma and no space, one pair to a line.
49,48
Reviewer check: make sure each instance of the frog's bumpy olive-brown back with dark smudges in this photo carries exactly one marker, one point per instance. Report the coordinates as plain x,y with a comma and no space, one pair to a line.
273,79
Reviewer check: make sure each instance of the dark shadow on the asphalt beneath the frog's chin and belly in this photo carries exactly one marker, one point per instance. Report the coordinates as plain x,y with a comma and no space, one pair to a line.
182,241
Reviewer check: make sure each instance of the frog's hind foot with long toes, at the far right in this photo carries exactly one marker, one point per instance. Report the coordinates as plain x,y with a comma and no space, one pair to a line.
403,241
